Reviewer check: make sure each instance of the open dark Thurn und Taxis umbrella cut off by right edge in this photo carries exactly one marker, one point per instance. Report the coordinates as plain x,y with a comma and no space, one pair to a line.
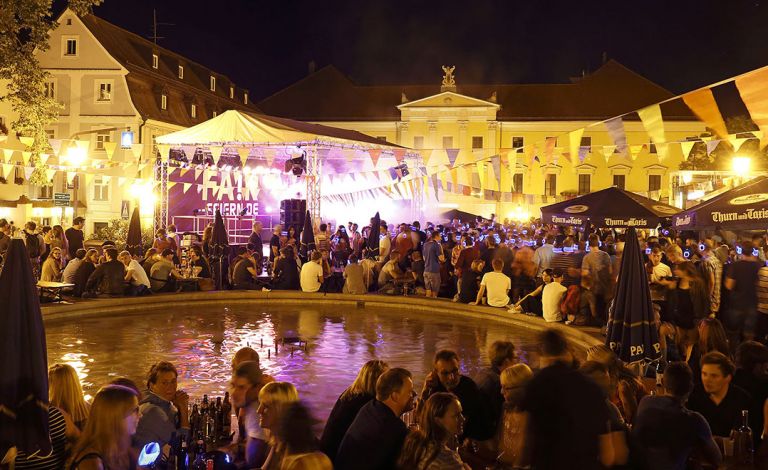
744,207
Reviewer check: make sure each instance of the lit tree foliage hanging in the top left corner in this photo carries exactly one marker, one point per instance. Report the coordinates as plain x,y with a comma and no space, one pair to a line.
24,28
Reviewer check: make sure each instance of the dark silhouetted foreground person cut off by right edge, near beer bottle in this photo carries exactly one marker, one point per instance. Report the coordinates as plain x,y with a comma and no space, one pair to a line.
752,376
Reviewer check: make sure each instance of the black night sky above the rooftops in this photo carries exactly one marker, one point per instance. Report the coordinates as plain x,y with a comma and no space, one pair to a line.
266,45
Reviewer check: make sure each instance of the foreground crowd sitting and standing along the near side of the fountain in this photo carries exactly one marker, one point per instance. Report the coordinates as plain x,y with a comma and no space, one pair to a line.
589,414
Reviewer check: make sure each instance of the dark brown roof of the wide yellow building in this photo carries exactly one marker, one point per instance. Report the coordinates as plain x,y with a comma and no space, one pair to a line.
612,90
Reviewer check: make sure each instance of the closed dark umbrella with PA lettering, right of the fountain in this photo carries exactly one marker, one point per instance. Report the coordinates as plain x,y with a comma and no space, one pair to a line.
632,333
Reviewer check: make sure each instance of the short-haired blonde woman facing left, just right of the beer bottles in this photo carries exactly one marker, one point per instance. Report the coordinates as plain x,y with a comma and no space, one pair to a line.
274,397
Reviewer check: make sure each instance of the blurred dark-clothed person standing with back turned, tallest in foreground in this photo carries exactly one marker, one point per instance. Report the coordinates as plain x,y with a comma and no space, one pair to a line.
563,429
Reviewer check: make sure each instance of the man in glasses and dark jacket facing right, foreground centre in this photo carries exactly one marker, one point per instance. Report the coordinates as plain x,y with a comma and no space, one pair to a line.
375,437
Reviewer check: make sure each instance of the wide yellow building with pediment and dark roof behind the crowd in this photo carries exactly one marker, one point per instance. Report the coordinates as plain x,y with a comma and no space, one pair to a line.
472,123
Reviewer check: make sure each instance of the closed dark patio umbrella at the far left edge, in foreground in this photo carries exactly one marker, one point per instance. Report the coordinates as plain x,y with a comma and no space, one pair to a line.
23,358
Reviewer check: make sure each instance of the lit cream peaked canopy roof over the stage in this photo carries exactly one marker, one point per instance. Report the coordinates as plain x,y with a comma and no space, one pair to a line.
251,129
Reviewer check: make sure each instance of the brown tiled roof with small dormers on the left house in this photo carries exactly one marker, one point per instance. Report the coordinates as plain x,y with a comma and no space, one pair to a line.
144,82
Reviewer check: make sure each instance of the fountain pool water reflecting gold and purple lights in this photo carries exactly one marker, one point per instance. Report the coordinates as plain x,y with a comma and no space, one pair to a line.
202,341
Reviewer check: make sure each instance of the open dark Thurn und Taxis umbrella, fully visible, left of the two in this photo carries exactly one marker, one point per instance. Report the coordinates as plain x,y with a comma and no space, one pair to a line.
611,207
